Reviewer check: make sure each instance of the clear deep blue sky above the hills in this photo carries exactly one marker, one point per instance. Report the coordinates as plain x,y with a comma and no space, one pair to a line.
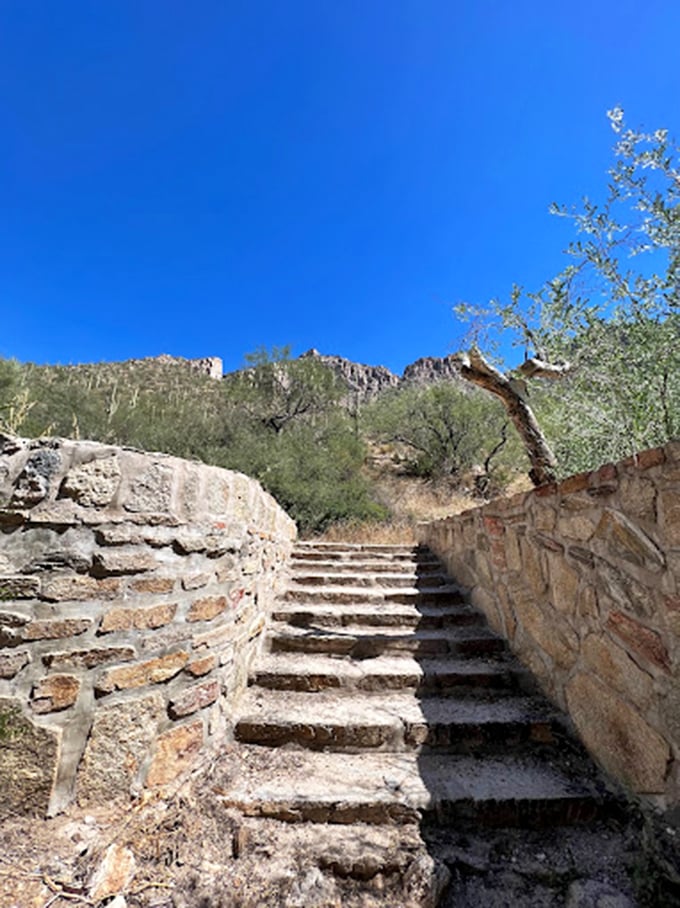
206,177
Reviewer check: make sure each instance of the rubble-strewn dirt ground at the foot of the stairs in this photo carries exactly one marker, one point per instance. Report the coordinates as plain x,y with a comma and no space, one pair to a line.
182,848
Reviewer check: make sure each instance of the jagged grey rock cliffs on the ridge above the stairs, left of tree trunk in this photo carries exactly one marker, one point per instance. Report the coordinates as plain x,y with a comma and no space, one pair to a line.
368,381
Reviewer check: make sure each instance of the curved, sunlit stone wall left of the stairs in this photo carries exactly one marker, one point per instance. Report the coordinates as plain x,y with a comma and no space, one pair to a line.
134,590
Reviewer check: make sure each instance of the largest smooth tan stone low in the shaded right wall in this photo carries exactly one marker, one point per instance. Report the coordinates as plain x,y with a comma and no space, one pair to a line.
617,735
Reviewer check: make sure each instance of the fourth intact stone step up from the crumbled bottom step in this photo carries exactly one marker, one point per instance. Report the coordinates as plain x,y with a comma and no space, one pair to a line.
364,643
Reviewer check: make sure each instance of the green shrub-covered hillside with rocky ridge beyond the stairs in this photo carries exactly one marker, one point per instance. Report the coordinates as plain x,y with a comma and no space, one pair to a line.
335,441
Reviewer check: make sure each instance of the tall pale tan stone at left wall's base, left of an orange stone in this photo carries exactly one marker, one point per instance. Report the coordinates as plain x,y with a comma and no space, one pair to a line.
120,741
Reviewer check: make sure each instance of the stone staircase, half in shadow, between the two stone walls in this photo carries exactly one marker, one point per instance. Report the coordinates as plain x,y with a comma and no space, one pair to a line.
384,702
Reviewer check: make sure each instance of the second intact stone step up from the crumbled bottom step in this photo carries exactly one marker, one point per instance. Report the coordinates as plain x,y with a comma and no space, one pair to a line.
391,721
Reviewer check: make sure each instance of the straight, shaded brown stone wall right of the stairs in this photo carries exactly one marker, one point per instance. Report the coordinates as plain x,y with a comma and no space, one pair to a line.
583,579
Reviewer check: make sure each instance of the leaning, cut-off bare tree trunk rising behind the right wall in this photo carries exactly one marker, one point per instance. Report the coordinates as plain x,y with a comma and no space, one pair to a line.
475,369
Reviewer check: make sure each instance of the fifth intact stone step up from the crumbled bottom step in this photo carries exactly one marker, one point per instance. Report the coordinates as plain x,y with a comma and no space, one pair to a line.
381,615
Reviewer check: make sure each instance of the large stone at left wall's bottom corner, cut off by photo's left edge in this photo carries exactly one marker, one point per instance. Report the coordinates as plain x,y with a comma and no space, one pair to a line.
29,756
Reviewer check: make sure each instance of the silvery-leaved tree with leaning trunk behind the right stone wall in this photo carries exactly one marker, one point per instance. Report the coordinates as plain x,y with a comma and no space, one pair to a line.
607,326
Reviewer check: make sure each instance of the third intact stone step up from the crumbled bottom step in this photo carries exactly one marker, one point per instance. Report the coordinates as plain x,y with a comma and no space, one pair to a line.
468,677
